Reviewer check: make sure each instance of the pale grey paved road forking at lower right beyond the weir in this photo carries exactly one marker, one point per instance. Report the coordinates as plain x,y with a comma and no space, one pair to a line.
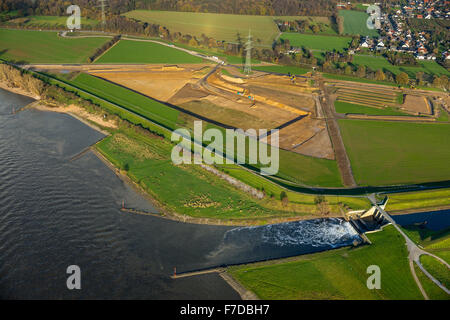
414,253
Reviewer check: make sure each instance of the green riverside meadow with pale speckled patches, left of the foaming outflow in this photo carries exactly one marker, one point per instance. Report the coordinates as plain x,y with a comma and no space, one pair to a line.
201,194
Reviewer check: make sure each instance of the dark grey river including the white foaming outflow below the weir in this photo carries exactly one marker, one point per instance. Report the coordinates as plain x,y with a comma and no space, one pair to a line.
55,212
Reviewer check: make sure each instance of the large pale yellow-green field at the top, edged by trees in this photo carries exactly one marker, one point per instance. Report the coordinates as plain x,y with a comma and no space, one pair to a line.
219,26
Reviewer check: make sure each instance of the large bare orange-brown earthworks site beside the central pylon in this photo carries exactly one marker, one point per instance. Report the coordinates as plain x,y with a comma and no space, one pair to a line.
264,101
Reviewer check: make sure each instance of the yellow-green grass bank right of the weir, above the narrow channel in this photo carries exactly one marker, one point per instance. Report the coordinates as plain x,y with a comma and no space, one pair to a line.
418,200
